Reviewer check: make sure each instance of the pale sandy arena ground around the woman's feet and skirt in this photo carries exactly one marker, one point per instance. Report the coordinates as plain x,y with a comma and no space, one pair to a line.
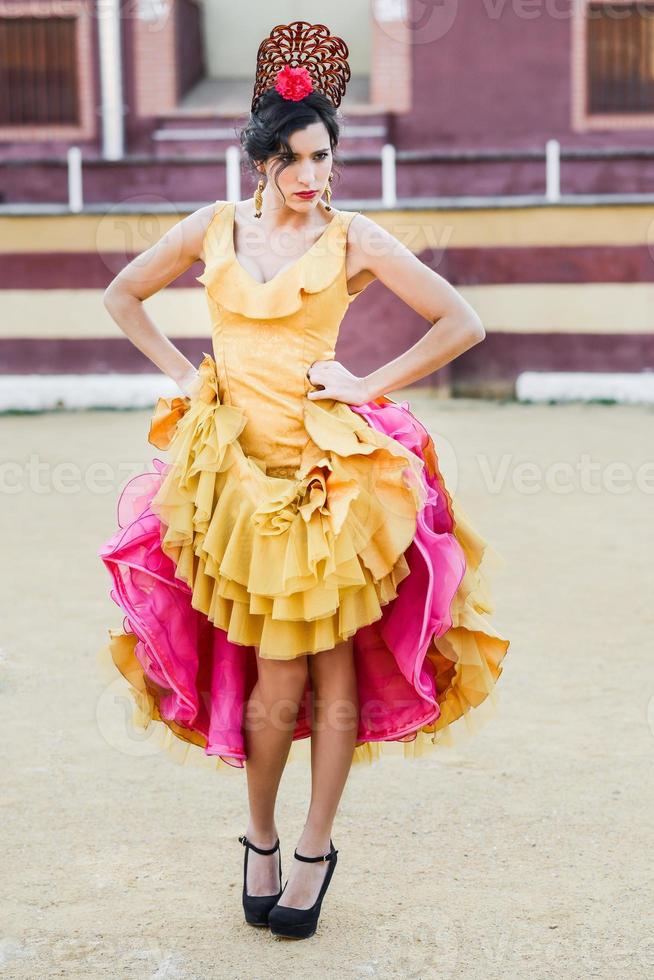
524,853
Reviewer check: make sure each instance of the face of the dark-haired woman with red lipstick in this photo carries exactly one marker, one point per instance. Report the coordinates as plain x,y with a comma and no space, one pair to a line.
307,169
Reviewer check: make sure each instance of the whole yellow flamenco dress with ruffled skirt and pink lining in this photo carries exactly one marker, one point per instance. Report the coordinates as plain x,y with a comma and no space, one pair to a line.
291,524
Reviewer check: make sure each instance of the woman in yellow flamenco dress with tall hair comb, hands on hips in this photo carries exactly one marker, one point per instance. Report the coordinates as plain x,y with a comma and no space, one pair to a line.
299,498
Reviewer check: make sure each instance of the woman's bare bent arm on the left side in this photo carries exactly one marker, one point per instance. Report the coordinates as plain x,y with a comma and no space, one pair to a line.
145,275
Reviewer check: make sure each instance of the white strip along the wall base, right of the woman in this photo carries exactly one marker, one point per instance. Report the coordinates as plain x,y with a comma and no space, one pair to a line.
567,386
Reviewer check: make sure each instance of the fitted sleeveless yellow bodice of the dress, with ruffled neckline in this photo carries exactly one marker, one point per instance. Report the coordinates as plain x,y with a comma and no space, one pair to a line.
266,335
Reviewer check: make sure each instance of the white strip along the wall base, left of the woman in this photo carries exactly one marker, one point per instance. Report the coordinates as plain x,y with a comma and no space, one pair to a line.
41,392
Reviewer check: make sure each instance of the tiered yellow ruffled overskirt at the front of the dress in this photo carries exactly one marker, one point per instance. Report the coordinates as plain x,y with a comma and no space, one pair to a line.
290,565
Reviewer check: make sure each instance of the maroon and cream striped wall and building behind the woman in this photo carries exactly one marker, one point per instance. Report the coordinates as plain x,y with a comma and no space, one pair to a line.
556,256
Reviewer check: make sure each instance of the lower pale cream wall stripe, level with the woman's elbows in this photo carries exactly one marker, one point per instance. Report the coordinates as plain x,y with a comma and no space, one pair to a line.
611,308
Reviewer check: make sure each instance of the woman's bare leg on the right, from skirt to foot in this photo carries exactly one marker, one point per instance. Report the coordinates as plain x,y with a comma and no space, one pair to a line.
334,729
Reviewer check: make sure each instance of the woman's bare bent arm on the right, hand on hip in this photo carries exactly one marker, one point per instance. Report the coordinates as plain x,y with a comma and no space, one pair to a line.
455,325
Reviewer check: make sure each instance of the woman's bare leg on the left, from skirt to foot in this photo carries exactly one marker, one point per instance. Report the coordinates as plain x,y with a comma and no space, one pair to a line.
270,717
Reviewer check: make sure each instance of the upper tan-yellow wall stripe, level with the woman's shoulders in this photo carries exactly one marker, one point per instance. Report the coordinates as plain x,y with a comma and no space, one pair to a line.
124,234
